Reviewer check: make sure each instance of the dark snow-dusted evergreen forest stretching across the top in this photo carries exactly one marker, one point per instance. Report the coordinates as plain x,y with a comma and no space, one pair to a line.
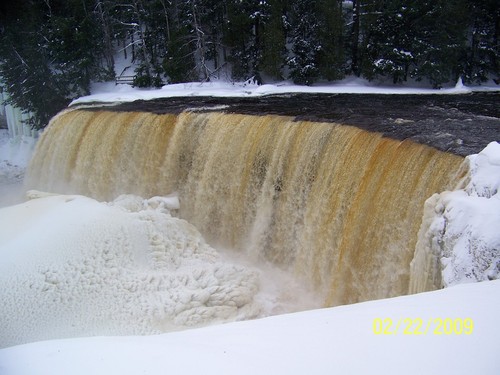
52,50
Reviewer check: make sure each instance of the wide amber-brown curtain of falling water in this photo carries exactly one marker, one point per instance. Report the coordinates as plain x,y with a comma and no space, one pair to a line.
338,206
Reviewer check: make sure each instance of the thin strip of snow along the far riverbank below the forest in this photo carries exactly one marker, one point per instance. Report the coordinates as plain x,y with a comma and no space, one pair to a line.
111,93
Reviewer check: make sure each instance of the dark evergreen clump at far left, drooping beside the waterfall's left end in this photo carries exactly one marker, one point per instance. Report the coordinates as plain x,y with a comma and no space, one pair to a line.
49,56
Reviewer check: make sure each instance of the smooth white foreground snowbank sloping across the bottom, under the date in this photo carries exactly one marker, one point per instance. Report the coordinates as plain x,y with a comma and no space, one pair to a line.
339,340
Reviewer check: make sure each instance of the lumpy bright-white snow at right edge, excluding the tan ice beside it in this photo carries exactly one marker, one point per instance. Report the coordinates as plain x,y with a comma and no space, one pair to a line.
469,224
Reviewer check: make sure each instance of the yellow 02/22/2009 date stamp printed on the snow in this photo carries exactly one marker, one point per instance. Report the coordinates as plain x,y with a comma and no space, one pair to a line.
419,326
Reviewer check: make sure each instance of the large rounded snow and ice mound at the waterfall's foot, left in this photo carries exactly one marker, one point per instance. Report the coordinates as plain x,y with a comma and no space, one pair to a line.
72,266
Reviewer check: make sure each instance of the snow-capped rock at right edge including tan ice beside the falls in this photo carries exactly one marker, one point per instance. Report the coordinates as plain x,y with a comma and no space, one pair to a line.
459,240
